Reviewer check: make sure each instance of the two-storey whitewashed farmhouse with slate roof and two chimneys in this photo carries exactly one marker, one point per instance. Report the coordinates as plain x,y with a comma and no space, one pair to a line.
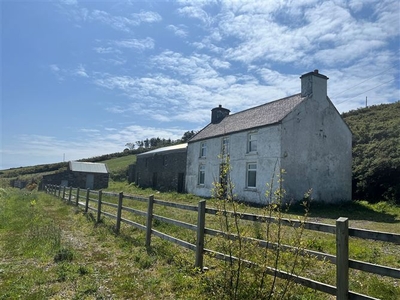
302,134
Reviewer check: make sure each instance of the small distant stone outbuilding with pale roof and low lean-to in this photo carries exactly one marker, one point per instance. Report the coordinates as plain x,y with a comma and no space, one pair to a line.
80,174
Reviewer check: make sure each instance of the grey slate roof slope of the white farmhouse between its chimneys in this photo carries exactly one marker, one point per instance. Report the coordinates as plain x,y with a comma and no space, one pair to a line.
259,116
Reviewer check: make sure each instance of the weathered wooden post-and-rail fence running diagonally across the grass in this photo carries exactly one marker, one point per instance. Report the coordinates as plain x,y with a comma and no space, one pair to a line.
342,231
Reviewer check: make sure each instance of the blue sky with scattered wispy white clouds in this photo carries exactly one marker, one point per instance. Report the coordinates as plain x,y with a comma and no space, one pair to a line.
83,78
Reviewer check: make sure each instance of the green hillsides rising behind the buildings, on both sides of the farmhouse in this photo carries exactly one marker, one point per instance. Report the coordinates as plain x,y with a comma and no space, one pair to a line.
376,156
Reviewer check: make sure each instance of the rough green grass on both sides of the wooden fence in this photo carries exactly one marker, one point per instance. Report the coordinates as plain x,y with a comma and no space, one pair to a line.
50,250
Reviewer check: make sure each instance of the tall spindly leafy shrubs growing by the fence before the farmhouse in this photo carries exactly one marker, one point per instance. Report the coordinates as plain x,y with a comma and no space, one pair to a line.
250,271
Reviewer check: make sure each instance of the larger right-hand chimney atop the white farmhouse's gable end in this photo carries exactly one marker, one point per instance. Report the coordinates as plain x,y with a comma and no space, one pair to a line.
314,84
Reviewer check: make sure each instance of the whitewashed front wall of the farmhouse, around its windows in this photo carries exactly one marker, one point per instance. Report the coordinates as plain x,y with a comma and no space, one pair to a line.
267,158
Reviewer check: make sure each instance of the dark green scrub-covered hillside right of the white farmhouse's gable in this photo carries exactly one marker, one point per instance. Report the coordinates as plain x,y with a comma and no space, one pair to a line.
376,152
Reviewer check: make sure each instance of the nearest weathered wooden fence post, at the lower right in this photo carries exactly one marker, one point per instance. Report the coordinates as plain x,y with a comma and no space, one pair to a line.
342,258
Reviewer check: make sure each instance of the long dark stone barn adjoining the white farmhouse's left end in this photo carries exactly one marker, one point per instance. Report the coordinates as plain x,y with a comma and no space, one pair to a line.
162,169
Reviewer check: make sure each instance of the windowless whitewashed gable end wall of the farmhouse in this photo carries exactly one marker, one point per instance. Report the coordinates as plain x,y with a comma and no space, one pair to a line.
316,151
